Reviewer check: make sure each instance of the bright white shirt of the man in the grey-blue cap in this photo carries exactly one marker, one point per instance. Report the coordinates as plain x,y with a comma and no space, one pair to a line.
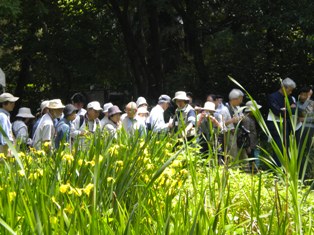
156,119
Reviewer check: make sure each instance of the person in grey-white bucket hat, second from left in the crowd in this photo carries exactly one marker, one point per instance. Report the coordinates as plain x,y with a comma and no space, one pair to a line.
20,125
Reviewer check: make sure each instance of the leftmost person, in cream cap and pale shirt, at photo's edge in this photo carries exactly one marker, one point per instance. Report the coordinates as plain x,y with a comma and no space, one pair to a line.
7,103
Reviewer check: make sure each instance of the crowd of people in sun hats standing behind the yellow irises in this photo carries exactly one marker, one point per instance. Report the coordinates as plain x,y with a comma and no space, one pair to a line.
227,127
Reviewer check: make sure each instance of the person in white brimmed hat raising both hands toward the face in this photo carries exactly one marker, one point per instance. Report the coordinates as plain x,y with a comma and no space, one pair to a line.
209,126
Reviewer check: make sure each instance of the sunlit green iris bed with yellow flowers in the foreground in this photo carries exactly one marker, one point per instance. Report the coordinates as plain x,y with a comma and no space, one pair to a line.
148,186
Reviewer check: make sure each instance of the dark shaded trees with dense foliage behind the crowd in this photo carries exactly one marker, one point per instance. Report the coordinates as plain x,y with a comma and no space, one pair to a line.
52,48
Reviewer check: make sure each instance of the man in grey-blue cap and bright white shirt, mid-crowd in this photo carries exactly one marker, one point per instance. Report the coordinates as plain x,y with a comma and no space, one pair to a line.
156,121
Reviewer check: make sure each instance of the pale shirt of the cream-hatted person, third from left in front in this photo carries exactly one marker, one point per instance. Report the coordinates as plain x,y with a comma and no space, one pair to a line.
44,132
